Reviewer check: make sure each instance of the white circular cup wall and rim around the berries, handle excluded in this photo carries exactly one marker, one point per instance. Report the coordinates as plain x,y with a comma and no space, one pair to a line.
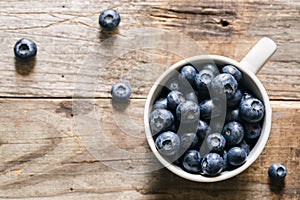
250,82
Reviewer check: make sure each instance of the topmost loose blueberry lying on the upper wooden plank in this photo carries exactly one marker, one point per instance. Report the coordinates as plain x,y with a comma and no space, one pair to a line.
109,19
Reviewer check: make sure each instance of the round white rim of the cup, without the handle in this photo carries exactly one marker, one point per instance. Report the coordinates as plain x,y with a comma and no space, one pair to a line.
255,152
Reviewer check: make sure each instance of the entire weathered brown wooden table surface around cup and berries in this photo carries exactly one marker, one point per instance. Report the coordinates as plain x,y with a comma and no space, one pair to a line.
55,146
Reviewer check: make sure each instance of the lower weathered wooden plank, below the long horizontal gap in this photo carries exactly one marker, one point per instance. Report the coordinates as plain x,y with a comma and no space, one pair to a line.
47,151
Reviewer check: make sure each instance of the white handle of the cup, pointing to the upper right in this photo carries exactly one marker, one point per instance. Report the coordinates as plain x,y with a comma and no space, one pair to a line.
259,54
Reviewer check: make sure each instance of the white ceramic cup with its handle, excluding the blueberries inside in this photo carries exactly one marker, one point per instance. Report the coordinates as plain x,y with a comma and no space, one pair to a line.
249,66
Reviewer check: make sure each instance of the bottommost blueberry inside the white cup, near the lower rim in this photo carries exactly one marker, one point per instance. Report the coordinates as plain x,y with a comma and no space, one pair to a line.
212,164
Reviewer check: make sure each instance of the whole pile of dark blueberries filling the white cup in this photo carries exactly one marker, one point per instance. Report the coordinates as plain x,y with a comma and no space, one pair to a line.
205,120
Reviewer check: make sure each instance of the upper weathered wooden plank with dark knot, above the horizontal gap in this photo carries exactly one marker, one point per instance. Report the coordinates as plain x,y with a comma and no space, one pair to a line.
68,36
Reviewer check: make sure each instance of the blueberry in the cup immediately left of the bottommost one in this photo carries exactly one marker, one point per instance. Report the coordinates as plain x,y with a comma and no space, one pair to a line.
191,161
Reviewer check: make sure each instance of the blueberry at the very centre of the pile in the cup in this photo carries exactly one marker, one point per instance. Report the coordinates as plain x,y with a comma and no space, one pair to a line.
209,109
